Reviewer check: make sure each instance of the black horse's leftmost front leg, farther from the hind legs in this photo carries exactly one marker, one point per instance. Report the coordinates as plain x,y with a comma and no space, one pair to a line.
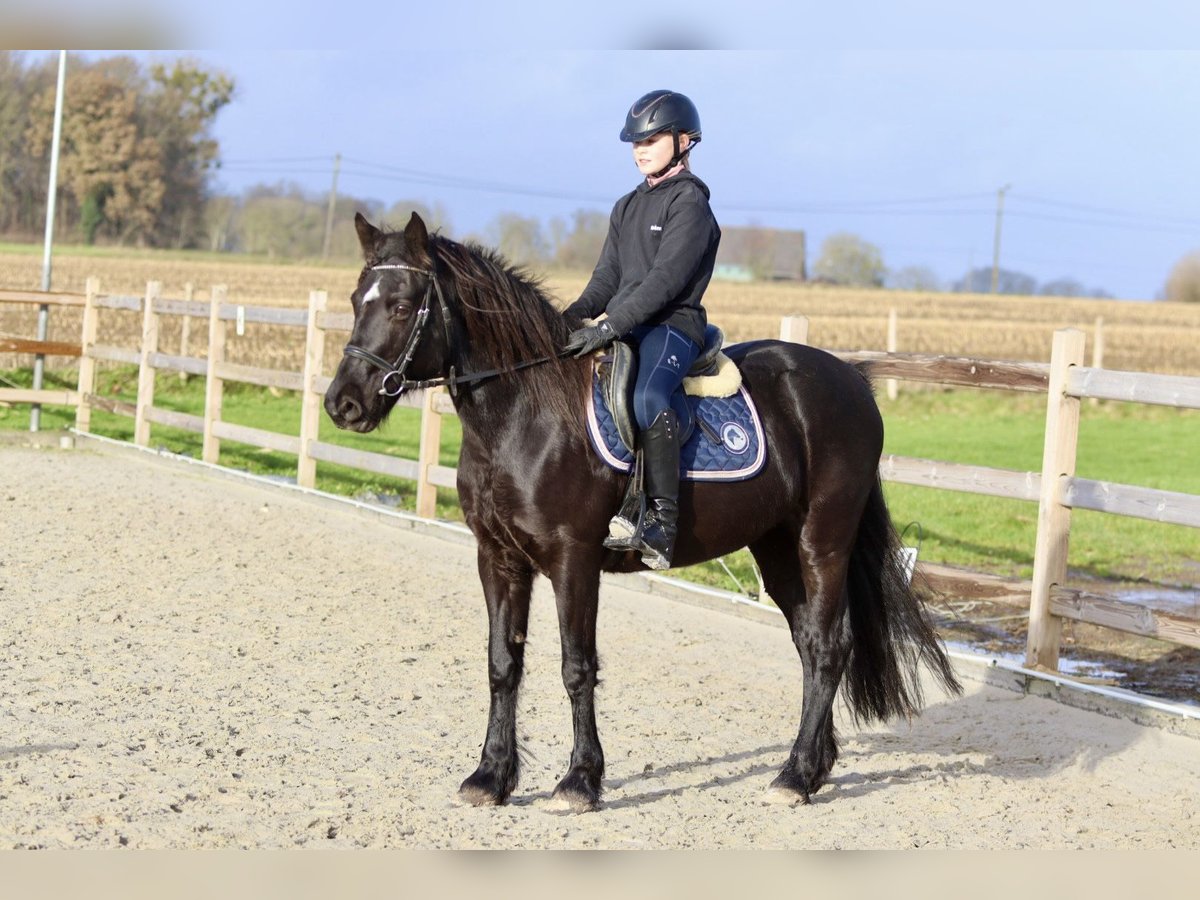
508,581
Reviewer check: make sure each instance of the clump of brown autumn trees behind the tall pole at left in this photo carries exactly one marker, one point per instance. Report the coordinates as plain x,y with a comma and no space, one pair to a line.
135,157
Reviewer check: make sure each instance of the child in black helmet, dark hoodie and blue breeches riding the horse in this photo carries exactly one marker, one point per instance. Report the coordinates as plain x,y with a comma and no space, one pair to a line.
656,265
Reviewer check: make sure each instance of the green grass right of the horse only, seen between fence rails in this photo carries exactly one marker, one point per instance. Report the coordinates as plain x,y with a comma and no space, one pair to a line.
1124,443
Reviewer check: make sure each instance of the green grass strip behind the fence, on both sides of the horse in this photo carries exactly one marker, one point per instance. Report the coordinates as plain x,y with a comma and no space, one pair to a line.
1119,442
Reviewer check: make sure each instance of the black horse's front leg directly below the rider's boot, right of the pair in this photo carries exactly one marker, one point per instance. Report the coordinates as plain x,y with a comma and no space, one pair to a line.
578,592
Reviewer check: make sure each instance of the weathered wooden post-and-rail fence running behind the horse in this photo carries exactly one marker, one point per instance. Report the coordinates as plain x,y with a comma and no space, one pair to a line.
1057,489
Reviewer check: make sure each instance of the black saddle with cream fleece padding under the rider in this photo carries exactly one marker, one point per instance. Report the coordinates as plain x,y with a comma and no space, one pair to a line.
713,375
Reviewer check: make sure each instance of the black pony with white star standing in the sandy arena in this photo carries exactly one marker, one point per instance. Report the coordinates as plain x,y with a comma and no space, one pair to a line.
538,499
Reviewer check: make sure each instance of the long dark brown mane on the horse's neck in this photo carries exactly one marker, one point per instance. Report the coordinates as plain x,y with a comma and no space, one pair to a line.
511,320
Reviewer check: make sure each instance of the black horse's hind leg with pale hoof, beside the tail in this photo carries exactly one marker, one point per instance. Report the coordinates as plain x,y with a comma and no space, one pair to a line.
811,589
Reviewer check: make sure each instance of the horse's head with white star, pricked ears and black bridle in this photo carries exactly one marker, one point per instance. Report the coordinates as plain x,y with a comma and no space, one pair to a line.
394,338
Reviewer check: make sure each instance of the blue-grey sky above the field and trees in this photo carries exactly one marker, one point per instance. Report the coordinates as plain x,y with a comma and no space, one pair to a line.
898,125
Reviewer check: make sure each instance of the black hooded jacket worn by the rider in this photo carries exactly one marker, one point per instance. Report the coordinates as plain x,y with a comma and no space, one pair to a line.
657,260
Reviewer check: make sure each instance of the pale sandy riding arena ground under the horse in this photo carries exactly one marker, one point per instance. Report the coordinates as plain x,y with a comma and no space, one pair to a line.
196,662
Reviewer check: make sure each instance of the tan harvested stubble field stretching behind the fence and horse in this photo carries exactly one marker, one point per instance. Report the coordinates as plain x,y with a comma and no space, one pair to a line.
1138,337
